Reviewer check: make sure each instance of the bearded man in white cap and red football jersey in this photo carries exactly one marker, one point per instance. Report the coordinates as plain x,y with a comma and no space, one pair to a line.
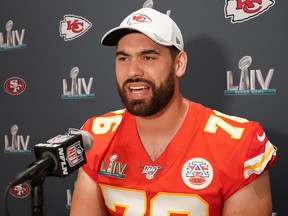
163,154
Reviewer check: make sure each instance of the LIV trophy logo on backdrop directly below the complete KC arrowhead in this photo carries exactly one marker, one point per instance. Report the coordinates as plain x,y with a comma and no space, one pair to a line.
77,85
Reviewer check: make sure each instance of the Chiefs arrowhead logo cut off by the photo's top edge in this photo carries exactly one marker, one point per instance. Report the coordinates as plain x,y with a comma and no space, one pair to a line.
243,10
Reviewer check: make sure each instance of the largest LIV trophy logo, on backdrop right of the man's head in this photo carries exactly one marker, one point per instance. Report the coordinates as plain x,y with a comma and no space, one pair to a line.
247,83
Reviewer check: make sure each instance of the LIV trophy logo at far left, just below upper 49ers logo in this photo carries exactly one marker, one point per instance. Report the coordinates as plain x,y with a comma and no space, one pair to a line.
16,143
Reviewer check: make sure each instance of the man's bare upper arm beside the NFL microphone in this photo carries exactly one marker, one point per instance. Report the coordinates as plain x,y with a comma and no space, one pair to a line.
87,198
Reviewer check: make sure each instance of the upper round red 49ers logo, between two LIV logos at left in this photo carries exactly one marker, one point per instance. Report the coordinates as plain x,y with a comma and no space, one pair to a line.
14,85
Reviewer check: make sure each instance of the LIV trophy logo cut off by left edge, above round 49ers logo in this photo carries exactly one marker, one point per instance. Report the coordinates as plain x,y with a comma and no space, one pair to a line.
12,39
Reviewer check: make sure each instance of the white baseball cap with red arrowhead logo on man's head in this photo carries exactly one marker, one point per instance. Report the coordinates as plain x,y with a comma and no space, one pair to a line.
158,26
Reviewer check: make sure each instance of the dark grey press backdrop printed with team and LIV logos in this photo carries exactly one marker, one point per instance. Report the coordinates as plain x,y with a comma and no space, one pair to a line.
55,74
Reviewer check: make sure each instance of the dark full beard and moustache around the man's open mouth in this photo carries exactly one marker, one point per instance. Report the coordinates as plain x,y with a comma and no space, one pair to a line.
160,97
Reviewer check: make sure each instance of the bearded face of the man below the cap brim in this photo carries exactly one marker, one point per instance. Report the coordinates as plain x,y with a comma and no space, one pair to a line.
145,74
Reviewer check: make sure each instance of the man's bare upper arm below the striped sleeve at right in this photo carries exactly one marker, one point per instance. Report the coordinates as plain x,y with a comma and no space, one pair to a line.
254,199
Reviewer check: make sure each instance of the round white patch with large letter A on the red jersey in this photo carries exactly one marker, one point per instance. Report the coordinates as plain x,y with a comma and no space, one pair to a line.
197,173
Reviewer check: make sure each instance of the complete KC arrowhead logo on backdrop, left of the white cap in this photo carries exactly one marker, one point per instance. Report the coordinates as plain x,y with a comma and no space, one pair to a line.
73,26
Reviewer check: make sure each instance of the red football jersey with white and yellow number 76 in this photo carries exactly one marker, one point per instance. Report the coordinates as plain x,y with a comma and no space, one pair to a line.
212,156
